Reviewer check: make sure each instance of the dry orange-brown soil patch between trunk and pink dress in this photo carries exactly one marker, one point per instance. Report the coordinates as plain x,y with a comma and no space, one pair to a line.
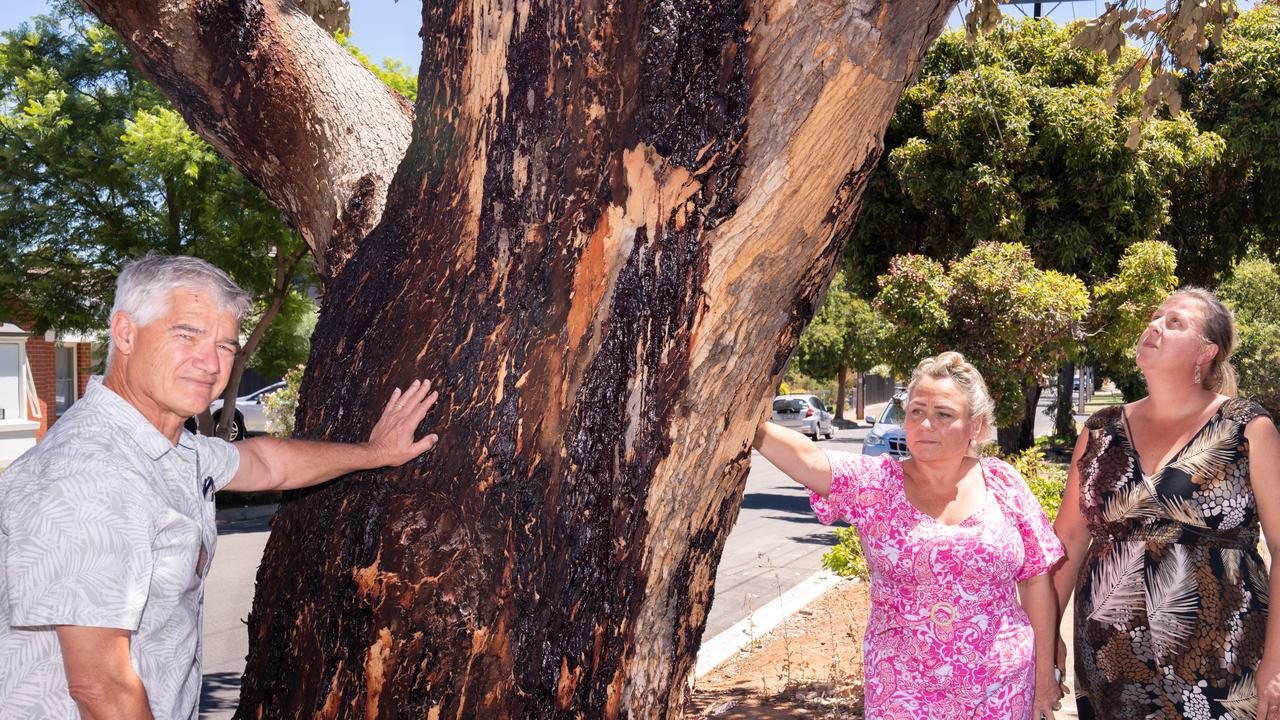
810,667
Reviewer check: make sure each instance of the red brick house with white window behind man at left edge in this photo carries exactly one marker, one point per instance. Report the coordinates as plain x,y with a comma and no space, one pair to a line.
42,376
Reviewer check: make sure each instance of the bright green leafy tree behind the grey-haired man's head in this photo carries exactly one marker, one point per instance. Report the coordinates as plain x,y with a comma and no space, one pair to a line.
98,168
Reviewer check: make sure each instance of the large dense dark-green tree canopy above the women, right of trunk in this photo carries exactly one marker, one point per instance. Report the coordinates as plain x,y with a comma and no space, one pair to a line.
1018,138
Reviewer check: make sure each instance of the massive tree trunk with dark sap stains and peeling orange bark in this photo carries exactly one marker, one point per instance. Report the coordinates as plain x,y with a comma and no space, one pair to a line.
606,236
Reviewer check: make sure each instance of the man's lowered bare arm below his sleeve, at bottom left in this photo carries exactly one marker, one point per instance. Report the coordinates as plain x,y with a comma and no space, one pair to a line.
100,676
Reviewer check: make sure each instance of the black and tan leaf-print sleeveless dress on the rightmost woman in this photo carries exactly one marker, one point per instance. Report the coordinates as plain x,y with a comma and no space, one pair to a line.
1172,603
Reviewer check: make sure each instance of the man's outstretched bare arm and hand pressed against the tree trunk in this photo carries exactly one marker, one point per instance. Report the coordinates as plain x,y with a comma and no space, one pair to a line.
287,464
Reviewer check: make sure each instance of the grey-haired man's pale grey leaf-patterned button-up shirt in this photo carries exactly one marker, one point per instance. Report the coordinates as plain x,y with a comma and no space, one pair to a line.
107,525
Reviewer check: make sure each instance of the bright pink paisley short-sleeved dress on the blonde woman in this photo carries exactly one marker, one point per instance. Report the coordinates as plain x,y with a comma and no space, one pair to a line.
947,637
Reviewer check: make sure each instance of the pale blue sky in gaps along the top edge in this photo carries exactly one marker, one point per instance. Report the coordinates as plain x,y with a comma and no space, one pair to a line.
388,29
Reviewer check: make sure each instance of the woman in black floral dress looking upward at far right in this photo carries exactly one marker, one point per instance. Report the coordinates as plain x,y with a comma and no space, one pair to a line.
1160,521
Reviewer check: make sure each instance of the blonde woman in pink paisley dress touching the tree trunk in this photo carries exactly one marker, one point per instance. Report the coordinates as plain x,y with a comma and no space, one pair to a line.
952,541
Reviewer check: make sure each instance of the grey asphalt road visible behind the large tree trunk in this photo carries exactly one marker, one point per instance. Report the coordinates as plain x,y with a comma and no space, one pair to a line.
775,545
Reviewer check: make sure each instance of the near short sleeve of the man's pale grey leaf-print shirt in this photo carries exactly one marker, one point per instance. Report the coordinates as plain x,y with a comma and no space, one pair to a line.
80,548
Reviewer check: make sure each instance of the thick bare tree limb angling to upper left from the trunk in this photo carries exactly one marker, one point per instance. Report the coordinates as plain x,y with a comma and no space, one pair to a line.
282,101
